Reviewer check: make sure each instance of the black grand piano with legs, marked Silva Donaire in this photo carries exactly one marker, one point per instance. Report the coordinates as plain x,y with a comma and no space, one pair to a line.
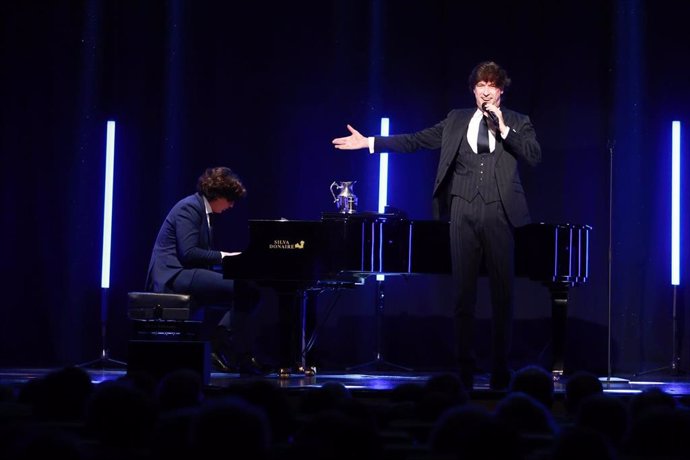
300,258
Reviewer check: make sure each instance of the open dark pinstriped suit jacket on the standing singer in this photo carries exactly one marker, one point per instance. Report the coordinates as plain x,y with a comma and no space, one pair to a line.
520,144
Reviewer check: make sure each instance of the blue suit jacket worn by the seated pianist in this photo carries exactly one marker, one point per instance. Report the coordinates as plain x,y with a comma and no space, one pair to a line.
183,244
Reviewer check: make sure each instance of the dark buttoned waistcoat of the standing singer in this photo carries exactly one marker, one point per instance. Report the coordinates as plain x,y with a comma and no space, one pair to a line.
474,174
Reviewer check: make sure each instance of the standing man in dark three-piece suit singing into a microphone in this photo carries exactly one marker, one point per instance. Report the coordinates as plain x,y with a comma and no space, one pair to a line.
477,188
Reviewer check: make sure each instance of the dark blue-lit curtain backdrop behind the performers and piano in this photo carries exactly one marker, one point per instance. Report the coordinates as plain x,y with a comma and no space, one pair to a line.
264,90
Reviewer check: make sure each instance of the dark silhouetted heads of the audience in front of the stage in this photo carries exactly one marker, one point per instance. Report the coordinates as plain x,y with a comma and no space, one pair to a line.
135,417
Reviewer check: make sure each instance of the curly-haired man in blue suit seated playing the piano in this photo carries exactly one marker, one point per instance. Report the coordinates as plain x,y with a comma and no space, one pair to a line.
182,261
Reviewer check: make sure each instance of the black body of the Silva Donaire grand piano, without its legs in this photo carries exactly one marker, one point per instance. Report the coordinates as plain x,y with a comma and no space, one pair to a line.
353,246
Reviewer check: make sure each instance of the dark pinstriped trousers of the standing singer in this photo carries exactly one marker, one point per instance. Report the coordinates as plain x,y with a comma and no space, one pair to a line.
481,234
